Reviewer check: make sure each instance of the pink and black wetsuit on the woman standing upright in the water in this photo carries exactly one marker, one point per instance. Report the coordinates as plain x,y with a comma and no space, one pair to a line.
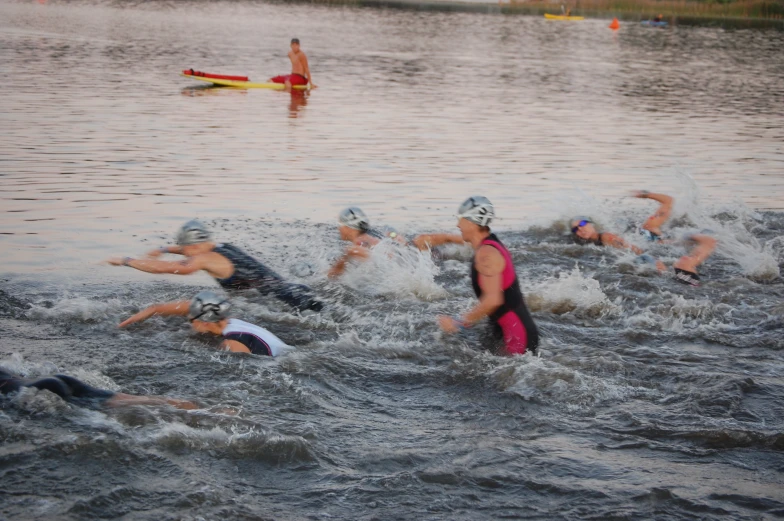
512,319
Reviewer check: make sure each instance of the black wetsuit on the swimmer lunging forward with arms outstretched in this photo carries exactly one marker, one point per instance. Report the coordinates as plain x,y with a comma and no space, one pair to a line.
250,273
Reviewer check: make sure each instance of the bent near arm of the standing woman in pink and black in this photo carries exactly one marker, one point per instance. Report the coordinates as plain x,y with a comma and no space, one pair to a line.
490,264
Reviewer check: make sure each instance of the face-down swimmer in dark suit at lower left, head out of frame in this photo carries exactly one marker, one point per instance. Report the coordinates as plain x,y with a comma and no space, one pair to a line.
79,393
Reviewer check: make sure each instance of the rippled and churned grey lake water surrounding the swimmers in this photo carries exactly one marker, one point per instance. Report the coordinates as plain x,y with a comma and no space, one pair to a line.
649,400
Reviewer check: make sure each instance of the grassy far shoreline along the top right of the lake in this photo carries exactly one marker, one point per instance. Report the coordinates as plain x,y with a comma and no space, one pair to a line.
757,14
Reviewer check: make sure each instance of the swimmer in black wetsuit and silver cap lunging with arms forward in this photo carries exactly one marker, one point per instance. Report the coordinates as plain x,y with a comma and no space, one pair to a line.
231,267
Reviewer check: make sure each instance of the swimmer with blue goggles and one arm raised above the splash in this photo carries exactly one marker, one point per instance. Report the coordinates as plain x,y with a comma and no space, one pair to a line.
584,230
